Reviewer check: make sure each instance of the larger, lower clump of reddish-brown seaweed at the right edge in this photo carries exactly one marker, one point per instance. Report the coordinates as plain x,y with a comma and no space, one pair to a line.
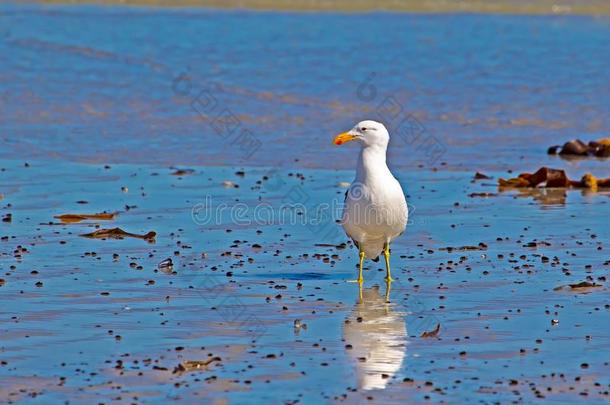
547,177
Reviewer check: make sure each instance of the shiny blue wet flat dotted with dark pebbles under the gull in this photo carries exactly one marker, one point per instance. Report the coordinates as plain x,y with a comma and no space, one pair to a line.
489,308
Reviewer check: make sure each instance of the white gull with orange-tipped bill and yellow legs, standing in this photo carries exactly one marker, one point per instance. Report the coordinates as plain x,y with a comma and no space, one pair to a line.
375,210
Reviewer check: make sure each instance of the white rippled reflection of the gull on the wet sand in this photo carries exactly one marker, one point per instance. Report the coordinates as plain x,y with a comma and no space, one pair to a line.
375,334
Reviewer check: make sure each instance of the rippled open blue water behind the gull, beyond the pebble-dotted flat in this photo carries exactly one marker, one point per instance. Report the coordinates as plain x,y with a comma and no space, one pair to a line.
108,84
